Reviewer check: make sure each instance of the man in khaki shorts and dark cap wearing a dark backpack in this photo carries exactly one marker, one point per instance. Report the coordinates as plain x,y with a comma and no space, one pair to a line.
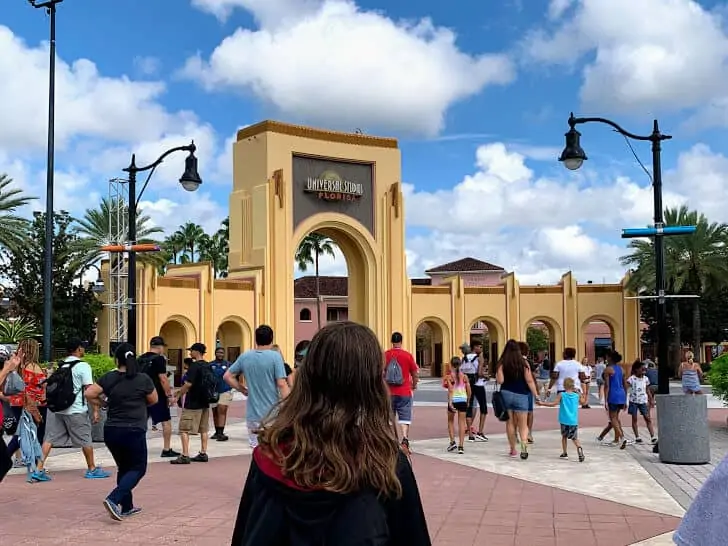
199,391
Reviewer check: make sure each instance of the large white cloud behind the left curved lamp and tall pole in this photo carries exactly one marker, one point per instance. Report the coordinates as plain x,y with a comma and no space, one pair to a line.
100,122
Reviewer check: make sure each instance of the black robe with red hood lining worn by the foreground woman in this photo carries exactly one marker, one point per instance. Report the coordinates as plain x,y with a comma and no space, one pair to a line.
274,512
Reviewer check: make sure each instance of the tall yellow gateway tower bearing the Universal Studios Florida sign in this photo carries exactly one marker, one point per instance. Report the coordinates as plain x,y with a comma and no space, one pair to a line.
289,181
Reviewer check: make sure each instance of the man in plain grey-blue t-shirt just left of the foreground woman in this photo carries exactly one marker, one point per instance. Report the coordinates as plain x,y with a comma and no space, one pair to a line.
263,380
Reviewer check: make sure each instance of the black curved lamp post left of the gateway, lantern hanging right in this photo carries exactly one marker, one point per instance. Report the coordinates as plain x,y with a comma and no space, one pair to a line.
190,181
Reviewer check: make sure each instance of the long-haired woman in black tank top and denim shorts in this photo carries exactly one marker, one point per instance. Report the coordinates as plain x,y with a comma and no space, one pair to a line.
513,373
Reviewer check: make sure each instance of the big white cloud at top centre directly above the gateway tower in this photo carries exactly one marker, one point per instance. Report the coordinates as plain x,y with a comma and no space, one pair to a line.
341,66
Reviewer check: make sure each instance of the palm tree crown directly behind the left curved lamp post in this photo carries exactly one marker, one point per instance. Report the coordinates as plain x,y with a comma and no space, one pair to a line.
93,232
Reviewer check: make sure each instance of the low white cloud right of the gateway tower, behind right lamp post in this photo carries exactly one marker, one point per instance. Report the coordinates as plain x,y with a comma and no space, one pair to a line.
542,227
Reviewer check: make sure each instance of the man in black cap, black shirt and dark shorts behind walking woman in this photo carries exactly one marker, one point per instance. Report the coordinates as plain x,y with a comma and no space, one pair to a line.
154,364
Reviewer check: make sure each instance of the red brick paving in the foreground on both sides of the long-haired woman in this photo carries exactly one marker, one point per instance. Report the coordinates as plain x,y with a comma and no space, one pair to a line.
196,505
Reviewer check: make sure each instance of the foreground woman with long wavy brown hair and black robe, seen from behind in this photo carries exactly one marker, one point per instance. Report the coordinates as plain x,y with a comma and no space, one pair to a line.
328,468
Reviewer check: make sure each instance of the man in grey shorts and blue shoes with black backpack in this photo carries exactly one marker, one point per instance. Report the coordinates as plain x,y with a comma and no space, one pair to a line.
65,399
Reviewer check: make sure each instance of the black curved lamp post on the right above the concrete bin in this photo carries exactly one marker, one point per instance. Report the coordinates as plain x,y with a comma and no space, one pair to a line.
573,157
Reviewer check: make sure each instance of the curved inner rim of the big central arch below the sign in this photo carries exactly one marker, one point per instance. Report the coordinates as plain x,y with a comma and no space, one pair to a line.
357,245
